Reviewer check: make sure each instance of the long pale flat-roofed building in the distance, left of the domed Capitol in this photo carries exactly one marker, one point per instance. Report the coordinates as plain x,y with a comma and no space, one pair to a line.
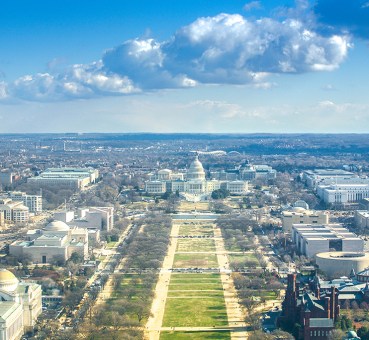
76,178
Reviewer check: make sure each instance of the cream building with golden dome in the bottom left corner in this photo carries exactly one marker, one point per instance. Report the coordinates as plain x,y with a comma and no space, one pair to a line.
20,305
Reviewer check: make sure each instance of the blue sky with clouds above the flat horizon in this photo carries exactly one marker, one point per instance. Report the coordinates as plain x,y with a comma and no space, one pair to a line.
209,66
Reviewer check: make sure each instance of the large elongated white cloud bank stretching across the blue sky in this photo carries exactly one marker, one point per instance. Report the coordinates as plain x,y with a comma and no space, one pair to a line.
224,49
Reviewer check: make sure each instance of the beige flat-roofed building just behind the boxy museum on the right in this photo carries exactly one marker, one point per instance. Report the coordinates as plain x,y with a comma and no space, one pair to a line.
302,216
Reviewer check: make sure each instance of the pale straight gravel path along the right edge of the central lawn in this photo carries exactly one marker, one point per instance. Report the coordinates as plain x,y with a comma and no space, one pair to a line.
234,310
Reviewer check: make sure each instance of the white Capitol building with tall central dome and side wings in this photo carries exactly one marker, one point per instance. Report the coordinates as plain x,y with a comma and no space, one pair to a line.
192,185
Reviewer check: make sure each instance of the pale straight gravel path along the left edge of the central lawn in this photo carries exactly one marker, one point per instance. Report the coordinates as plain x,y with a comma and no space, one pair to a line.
153,325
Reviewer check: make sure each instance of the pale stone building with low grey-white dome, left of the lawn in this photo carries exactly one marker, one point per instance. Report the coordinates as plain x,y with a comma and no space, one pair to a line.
57,241
